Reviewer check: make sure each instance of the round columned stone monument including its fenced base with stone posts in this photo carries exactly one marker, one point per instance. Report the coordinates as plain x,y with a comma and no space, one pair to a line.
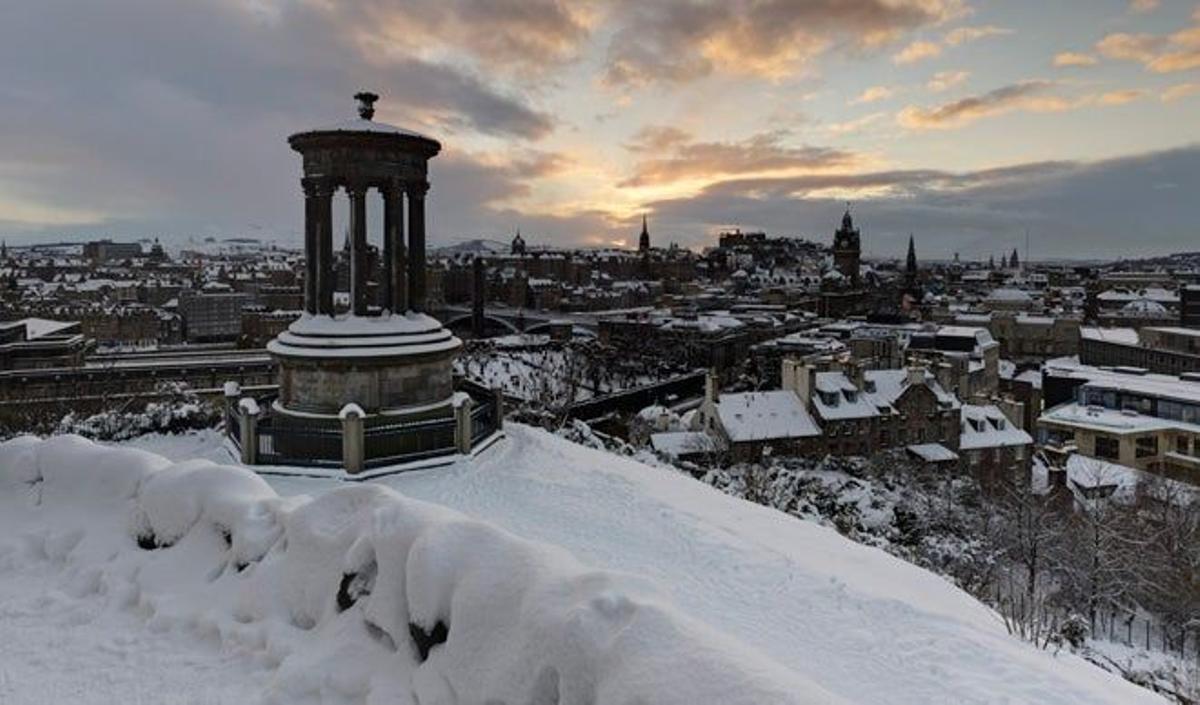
370,385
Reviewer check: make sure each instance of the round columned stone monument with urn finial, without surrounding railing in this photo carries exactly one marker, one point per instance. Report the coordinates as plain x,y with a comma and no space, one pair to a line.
398,363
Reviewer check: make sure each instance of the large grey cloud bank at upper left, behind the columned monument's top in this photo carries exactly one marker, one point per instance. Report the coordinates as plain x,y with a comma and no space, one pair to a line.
172,117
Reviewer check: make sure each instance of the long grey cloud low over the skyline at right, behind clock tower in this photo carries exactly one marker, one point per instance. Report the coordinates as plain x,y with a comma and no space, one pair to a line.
1117,208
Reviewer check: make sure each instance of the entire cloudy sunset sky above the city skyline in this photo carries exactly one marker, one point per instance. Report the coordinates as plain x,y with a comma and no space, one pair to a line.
962,122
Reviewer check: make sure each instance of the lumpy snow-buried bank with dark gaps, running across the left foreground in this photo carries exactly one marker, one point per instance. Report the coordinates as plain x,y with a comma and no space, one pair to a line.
363,594
